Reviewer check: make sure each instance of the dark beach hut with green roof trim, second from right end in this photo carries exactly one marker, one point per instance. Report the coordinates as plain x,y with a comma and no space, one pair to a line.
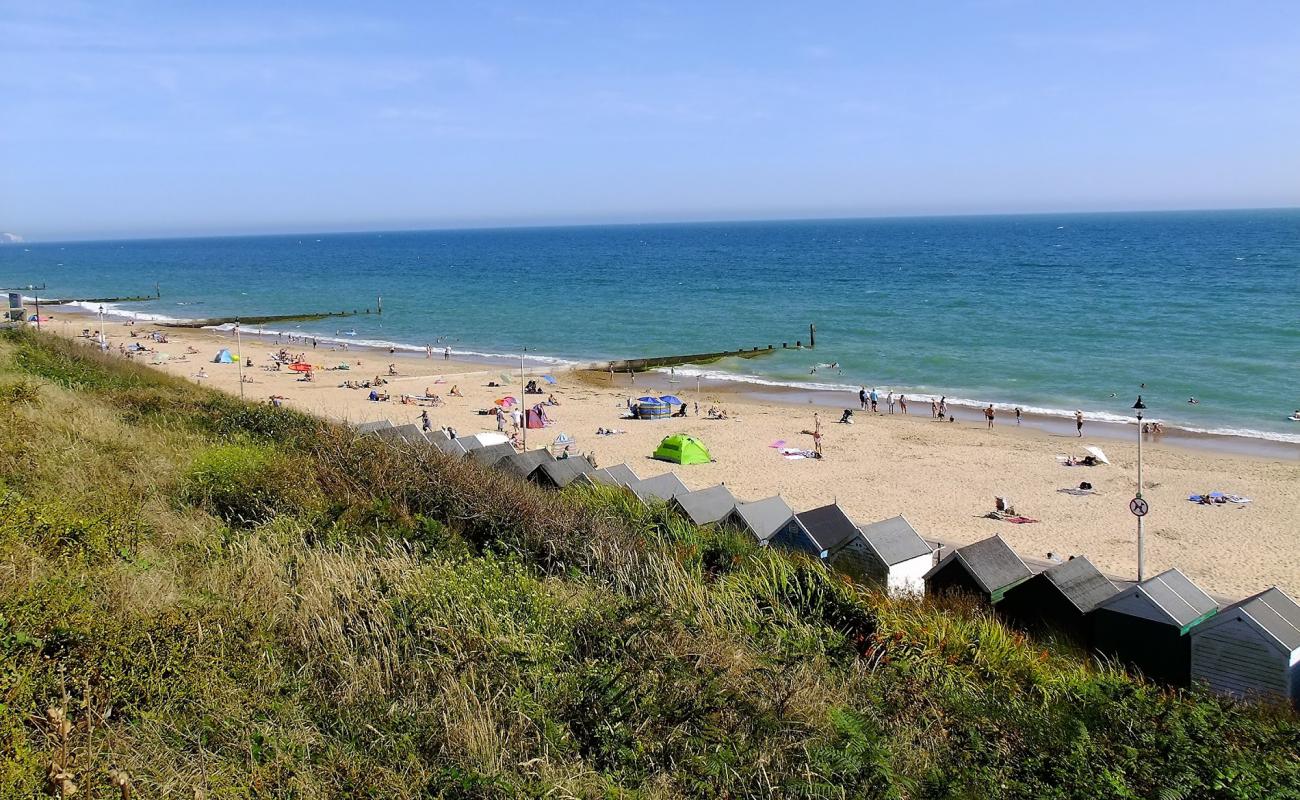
1146,626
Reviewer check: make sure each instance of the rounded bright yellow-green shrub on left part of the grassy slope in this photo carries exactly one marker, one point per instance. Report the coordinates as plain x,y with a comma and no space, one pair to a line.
249,485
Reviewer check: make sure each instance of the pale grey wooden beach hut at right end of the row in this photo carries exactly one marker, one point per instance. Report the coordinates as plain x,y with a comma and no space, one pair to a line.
1251,648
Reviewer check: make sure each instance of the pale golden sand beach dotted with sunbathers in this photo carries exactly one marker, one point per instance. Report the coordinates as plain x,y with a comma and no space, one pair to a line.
942,477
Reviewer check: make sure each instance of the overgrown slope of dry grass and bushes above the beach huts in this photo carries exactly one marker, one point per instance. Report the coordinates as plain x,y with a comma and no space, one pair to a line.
228,602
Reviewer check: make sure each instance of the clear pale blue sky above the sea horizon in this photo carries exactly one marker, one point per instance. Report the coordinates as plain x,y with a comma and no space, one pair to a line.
142,119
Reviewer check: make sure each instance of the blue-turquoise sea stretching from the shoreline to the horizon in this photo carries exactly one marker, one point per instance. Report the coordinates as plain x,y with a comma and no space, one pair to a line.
1048,312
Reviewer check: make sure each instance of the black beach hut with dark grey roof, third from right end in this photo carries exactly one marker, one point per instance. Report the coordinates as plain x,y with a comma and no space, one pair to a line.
1059,599
